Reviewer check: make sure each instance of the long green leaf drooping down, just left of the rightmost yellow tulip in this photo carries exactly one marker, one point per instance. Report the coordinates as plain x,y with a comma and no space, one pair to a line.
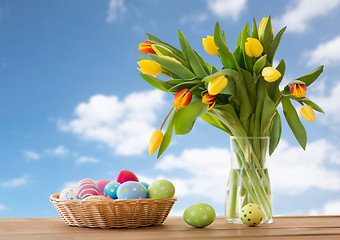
294,122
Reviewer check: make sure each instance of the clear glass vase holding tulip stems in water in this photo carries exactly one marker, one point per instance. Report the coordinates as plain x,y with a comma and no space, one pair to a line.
248,179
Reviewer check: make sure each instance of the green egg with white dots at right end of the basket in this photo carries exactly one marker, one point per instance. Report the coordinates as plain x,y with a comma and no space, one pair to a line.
161,189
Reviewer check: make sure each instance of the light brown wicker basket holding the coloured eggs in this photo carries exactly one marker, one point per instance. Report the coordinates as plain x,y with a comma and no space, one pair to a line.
113,214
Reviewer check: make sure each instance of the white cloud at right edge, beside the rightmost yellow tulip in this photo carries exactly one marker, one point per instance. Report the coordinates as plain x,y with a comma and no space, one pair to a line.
330,105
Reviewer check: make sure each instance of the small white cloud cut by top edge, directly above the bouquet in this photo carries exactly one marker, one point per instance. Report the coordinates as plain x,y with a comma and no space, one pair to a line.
227,8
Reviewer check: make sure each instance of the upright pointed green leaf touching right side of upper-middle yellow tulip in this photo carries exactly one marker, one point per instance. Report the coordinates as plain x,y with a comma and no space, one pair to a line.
227,58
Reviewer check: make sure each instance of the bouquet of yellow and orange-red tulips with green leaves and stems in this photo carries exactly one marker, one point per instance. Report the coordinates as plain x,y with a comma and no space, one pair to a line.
240,99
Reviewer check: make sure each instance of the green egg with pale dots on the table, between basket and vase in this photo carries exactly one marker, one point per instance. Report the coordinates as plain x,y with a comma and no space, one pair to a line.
199,215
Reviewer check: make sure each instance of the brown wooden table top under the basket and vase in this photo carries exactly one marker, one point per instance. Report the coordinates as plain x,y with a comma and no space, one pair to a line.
321,227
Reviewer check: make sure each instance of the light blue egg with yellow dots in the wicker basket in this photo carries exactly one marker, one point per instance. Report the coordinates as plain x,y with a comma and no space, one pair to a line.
131,190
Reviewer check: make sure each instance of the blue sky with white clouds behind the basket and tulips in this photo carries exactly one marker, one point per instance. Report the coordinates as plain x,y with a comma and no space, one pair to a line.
74,106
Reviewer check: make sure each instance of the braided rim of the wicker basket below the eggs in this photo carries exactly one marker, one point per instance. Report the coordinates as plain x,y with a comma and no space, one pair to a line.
55,198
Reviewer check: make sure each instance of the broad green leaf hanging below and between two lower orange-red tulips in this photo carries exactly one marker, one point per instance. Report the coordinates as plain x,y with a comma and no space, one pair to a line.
186,117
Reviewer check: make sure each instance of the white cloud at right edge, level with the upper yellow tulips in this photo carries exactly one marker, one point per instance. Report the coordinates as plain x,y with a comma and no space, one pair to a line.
327,53
